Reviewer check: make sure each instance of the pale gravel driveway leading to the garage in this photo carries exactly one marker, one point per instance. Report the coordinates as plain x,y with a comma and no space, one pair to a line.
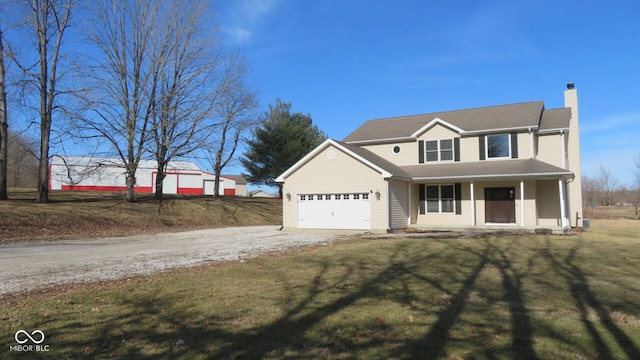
26,266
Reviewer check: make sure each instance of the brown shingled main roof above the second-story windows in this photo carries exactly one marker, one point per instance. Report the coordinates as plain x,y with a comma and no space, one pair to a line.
485,119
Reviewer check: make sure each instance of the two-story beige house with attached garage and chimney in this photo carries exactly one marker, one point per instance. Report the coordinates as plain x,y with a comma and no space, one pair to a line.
512,166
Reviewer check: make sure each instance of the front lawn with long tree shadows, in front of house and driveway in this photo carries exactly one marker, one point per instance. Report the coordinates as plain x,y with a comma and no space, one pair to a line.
513,297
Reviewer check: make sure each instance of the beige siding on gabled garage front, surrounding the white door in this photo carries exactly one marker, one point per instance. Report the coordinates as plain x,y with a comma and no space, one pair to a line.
342,174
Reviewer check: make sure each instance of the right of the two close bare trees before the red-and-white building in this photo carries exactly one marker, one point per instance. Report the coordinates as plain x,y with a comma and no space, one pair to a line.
188,87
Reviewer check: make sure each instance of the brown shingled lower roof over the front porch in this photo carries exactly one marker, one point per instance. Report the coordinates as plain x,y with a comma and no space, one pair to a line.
487,170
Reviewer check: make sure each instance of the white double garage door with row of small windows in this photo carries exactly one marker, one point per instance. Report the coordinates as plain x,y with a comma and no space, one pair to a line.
334,211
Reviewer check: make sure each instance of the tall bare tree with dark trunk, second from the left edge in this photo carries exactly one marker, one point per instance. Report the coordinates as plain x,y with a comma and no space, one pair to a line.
49,20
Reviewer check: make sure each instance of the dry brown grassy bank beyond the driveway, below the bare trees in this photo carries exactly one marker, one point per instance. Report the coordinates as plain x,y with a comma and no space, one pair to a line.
96,214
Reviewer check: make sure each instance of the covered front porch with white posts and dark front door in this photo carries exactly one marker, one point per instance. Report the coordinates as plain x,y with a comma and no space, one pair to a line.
524,200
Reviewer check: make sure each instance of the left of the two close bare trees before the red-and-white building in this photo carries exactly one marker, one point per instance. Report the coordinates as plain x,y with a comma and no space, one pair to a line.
124,79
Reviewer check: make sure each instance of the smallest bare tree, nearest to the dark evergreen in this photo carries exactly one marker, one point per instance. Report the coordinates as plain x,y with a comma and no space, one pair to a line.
236,111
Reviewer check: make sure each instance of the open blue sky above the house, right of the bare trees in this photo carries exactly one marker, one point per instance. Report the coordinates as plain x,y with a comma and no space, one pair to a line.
348,61
